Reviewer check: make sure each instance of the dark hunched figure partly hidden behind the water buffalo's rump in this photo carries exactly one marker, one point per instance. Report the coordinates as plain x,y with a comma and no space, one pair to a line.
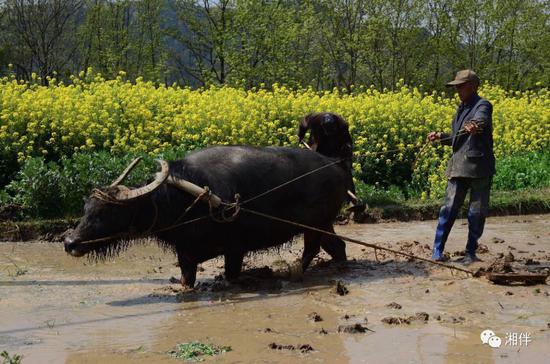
330,136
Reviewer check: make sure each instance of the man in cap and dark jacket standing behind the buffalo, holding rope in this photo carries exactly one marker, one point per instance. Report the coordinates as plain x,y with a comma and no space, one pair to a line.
471,167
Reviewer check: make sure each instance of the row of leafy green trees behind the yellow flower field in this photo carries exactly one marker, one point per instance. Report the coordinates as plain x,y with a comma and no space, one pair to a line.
247,43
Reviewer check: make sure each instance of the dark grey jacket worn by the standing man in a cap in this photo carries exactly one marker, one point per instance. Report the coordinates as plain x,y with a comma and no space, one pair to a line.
473,155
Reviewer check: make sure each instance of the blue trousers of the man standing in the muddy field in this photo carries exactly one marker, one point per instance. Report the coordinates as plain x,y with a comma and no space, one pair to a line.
457,188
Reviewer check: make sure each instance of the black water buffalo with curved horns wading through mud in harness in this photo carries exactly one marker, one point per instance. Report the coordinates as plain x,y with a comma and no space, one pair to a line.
116,214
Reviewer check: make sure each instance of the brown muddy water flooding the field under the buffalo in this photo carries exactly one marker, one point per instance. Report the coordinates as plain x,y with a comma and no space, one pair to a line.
55,309
